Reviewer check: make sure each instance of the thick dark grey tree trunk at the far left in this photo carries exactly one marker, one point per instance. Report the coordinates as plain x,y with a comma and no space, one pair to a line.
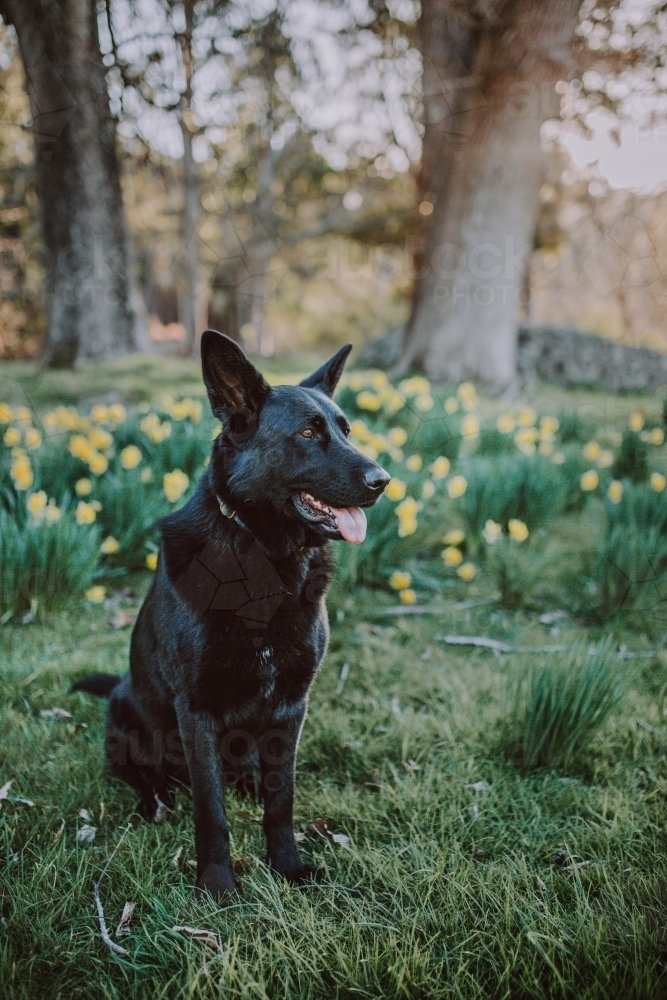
89,314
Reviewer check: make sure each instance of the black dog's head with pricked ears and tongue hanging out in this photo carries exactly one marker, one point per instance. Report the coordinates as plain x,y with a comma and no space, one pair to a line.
285,448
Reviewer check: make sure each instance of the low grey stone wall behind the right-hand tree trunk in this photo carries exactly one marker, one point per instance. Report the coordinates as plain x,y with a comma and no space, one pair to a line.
563,355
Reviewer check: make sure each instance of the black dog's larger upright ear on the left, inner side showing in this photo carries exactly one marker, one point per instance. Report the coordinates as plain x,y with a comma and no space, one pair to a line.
236,390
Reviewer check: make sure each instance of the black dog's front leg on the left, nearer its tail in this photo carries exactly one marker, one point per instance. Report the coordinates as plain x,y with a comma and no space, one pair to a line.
215,873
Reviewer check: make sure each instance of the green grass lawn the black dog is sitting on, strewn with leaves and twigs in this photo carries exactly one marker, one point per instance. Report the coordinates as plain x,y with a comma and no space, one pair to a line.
465,875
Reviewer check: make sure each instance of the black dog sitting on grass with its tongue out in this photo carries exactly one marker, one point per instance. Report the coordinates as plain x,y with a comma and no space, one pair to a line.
234,627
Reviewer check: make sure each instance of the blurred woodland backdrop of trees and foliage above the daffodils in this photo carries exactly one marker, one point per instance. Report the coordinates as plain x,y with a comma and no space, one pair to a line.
300,173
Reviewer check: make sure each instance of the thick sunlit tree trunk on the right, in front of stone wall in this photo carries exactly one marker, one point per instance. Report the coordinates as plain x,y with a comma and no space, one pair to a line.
490,169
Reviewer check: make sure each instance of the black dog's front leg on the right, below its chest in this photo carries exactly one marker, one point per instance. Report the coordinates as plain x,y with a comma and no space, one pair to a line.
277,761
